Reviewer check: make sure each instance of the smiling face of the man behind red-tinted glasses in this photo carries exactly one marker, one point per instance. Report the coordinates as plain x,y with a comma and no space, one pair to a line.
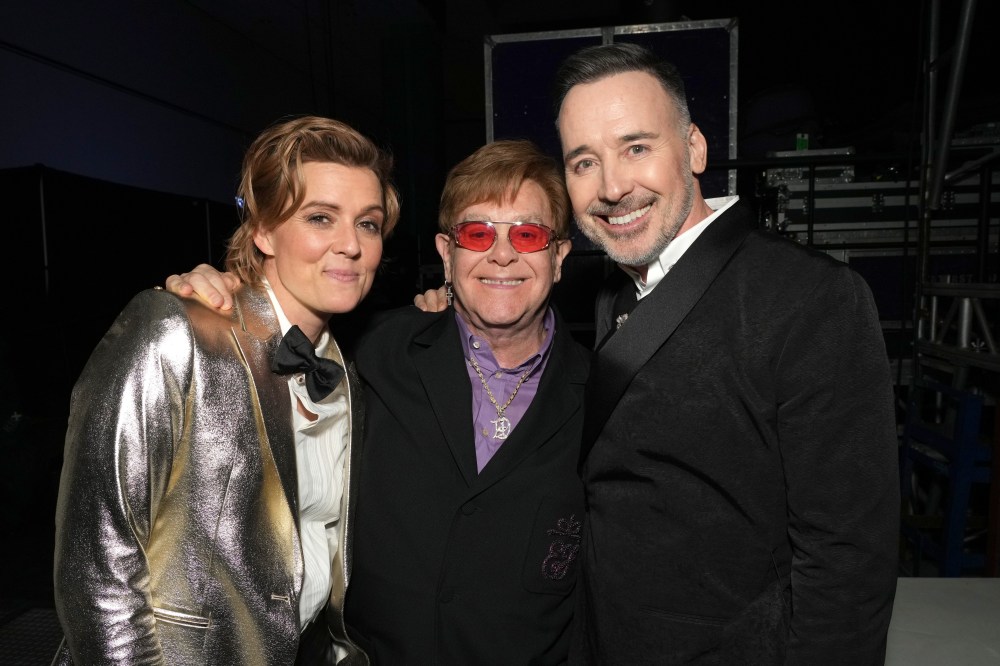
499,292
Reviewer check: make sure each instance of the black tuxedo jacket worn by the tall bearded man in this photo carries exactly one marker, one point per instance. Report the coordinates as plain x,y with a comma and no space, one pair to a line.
740,464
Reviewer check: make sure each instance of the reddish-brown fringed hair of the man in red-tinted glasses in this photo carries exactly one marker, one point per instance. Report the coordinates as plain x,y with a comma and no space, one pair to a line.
495,173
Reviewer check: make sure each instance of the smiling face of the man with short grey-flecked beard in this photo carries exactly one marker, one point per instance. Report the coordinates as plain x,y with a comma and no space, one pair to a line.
630,167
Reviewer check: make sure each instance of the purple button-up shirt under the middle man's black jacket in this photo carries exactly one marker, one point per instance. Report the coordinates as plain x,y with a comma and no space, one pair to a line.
501,382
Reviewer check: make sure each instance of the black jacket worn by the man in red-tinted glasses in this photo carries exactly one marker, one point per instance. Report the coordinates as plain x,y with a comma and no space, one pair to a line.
452,566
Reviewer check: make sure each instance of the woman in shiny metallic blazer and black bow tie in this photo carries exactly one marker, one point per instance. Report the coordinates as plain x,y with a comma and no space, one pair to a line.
206,497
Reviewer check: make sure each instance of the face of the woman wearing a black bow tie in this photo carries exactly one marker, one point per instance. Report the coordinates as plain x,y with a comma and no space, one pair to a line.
322,260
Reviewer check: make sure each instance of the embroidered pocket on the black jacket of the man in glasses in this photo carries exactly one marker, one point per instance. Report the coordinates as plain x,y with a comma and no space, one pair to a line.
551,563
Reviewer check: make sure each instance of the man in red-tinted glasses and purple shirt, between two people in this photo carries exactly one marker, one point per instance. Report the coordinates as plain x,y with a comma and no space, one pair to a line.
470,509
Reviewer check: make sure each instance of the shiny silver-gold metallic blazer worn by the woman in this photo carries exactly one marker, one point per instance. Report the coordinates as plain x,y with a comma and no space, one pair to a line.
177,522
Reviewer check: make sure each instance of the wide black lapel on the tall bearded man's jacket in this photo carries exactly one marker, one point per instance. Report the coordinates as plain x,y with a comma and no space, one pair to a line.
655,318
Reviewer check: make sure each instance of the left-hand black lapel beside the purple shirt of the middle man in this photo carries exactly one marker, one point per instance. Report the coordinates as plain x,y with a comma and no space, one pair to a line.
438,359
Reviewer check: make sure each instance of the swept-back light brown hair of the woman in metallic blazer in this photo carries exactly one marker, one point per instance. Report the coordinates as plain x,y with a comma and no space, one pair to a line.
272,186
